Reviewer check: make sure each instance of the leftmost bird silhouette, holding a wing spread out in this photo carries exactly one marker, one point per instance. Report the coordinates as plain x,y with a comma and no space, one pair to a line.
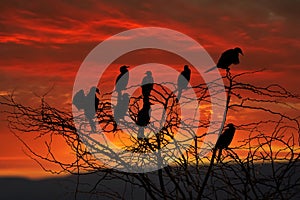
89,104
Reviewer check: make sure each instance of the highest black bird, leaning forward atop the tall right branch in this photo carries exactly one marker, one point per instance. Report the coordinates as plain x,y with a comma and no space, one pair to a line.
228,57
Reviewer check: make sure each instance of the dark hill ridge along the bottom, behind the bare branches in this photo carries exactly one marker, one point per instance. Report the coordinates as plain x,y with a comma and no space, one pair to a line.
113,186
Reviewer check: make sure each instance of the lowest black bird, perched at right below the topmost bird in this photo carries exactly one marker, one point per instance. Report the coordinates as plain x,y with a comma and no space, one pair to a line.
225,139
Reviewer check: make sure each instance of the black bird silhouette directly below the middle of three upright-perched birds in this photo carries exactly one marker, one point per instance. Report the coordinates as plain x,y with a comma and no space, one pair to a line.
143,119
